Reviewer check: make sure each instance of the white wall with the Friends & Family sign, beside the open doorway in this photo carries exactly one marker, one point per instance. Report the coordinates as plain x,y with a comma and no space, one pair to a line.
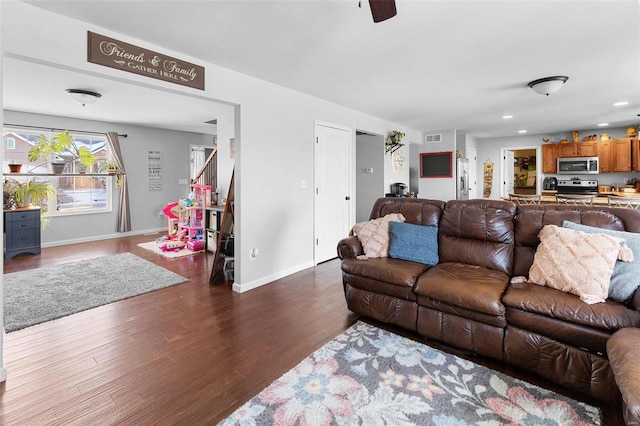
273,128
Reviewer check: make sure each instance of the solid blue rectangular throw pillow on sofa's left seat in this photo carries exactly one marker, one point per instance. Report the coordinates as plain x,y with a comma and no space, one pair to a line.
416,243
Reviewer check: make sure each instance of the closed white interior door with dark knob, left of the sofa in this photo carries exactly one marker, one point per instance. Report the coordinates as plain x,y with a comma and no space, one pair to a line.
332,185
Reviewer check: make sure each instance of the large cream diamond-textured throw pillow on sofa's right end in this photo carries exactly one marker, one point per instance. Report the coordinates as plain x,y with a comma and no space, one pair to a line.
575,262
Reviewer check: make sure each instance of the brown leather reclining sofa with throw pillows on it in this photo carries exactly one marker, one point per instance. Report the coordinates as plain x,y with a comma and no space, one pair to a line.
466,301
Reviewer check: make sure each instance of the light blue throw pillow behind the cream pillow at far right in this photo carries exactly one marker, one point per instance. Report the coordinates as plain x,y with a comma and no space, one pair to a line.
626,275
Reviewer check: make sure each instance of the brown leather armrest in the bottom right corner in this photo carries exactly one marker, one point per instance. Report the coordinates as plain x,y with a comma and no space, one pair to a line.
623,350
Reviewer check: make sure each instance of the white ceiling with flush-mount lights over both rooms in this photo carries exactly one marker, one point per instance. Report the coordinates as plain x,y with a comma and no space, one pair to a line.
437,65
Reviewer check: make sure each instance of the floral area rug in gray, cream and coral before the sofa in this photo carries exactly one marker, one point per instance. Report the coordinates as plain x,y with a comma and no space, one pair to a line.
368,376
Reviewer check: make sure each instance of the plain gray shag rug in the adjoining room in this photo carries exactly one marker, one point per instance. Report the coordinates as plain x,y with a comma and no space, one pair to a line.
38,295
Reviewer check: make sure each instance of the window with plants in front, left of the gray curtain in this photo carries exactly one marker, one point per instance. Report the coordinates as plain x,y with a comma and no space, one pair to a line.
79,189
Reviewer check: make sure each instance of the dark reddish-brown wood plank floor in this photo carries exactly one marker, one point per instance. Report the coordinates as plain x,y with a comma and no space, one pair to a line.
188,354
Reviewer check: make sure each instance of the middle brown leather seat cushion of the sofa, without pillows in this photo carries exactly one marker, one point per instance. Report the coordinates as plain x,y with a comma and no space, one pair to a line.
471,287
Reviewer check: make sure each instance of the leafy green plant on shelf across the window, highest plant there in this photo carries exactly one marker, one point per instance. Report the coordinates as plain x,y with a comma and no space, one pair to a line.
60,150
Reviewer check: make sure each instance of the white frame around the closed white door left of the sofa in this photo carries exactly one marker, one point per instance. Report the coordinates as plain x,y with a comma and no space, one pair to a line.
351,172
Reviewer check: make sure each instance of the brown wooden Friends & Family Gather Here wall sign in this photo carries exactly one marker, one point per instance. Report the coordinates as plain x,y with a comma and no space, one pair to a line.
117,54
